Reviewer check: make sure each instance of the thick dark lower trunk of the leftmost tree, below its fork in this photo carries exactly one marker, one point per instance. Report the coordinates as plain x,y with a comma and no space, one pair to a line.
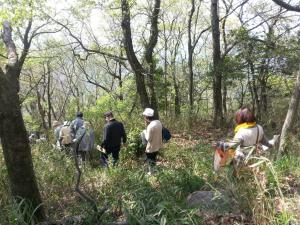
17,151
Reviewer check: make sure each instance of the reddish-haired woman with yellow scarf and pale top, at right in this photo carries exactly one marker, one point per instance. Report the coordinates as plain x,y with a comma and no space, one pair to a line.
247,133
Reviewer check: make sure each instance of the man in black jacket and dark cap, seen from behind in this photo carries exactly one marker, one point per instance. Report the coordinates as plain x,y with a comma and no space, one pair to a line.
113,134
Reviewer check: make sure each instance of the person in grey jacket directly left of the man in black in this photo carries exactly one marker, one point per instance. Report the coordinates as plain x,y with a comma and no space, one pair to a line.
84,140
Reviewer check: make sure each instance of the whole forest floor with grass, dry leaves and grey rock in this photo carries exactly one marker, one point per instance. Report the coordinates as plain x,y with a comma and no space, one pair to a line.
184,190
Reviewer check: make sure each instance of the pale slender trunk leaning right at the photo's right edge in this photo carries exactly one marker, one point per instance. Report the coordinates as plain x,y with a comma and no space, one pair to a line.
290,116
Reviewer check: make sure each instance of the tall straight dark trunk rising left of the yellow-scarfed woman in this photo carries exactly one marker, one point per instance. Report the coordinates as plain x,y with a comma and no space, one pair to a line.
217,76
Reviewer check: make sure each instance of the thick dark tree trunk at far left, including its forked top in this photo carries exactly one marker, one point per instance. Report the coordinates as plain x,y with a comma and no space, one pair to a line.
14,139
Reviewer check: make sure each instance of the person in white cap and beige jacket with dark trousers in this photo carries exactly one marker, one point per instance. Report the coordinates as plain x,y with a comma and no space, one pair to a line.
153,138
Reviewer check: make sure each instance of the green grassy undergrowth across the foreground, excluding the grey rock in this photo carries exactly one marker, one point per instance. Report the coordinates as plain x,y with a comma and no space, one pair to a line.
140,199
